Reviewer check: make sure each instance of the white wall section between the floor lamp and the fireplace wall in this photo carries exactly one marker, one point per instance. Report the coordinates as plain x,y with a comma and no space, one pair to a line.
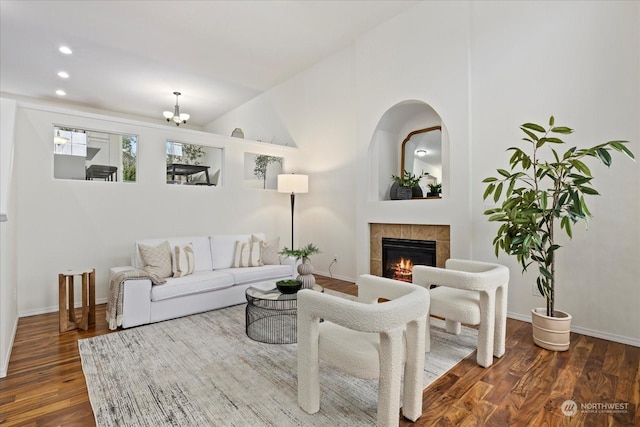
317,110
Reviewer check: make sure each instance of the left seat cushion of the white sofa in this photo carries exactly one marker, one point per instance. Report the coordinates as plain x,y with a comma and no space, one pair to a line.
198,282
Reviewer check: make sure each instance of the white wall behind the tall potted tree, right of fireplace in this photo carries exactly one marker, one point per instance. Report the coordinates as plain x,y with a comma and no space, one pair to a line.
578,61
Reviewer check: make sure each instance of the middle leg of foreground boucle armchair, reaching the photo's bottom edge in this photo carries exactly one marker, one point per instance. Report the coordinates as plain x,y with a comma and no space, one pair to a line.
390,374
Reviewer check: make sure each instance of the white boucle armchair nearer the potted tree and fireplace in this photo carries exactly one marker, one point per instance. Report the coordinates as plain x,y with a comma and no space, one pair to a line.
473,293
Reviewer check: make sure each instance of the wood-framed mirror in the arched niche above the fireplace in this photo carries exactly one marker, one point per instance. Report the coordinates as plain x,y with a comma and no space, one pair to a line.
422,152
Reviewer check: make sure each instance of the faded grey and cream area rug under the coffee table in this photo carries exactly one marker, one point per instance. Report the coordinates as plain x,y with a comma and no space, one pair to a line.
203,370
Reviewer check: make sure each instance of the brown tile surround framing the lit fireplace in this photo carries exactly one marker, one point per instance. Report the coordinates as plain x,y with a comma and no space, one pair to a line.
439,233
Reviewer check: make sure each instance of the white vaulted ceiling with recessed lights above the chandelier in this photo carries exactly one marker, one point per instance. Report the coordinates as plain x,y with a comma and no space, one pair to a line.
130,56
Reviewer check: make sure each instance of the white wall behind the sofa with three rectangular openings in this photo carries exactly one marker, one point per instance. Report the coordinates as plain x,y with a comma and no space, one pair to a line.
71,224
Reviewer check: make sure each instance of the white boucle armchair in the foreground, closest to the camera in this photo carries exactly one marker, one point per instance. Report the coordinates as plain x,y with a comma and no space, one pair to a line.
366,339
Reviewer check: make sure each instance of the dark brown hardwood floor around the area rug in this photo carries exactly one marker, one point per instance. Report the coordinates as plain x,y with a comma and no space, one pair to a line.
526,387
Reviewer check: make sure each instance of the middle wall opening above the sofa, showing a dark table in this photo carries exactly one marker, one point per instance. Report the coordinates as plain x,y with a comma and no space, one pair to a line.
191,164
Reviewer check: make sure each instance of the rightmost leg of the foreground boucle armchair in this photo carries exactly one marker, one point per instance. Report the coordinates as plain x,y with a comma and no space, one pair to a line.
414,370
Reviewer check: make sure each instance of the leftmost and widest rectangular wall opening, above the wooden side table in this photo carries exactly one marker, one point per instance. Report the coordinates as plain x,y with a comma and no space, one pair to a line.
91,155
